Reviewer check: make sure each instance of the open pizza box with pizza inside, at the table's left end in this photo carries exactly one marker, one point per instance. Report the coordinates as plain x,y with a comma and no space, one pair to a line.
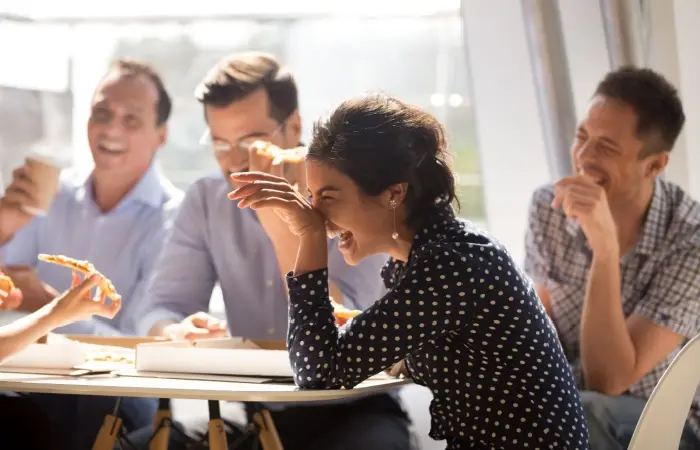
76,355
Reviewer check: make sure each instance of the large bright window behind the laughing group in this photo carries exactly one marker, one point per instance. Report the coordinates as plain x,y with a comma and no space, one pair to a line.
420,59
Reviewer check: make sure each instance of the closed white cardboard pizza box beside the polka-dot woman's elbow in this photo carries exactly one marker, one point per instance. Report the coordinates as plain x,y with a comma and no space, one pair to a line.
226,356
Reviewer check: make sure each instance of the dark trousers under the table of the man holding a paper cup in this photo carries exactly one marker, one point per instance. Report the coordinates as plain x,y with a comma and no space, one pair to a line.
76,419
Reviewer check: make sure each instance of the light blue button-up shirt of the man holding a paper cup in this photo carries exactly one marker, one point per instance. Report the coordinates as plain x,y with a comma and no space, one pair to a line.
123,244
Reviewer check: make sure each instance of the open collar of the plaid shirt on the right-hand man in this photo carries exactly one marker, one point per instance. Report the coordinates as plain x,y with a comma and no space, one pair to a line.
654,227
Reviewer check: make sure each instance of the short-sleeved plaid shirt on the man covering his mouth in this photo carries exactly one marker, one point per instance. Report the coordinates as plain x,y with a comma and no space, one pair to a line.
660,275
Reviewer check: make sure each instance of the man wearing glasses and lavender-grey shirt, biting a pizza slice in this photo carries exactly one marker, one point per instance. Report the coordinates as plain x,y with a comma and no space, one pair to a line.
246,98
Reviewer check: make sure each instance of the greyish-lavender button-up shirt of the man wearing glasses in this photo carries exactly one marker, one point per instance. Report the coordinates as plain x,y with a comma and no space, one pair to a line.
214,241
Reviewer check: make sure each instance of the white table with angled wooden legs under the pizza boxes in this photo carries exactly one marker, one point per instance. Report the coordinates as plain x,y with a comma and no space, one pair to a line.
169,388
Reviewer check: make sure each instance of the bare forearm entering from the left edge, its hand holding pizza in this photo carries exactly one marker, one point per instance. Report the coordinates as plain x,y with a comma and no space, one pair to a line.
27,330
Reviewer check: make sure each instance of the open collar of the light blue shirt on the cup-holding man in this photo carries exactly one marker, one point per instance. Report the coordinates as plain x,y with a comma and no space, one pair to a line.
151,190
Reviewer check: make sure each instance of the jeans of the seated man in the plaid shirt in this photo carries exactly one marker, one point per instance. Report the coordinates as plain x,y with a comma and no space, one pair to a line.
612,420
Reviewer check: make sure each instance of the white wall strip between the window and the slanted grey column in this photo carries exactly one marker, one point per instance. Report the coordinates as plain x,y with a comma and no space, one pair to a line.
508,123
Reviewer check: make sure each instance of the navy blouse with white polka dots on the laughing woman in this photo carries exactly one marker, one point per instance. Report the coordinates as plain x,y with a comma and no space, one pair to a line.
470,327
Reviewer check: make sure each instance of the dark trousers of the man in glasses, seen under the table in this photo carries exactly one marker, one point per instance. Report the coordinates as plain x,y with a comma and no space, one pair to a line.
372,423
